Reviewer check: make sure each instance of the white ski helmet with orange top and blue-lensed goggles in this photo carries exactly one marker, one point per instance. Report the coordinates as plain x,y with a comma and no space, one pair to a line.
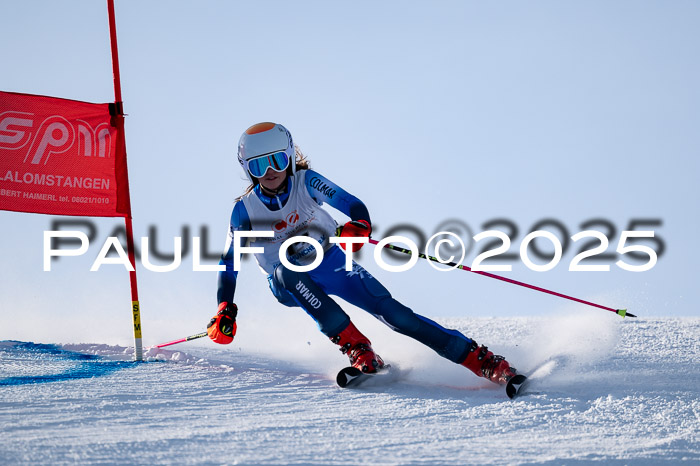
266,145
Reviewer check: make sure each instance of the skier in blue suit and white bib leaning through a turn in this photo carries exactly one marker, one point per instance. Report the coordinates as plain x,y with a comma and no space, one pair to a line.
285,197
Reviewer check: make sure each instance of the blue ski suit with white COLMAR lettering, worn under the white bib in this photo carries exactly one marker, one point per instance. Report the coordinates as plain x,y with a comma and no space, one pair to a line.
311,290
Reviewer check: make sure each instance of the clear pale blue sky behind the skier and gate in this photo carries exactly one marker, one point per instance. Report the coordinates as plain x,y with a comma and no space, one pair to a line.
495,116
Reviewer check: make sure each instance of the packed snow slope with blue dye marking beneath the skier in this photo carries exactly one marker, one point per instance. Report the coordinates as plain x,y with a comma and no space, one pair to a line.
605,390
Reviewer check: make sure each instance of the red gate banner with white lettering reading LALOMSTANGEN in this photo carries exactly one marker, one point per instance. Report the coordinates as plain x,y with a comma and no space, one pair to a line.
60,157
